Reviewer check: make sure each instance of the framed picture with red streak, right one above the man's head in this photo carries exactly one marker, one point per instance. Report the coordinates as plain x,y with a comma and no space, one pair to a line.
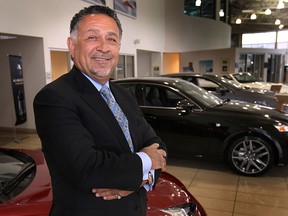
127,8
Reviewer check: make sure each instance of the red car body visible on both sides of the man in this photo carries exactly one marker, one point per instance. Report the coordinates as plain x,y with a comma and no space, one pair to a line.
36,198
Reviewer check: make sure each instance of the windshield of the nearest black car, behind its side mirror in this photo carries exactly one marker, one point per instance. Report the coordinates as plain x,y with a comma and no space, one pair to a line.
198,93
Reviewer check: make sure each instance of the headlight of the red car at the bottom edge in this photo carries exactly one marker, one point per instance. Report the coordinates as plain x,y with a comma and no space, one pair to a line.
183,210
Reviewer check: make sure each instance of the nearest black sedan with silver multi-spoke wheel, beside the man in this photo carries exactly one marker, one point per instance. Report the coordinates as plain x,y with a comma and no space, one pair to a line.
193,122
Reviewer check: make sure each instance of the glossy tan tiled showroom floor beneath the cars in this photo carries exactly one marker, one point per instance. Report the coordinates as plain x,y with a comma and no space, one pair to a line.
221,192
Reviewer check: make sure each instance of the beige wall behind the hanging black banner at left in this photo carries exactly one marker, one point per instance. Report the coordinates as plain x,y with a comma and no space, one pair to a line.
31,51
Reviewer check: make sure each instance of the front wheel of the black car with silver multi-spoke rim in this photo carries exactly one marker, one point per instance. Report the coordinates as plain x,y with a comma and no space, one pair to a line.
250,156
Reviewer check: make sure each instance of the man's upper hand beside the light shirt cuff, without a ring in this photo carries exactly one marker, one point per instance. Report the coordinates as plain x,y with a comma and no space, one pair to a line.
157,156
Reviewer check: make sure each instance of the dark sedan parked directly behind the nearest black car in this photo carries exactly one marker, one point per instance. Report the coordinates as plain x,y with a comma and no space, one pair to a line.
228,89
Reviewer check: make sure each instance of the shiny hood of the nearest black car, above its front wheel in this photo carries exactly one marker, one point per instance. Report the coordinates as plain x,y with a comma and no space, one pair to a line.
254,110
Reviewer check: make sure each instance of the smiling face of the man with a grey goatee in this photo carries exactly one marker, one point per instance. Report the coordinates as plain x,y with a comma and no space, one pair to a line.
97,47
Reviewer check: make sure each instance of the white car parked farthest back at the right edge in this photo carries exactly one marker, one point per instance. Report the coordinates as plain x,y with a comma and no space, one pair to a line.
250,81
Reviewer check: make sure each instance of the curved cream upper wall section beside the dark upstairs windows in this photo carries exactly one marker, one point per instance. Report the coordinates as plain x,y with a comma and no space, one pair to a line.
186,33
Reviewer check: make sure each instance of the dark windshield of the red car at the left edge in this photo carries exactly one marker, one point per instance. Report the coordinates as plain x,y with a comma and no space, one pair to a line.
16,172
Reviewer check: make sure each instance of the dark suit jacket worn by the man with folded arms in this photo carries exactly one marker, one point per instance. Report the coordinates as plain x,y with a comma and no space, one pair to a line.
85,147
